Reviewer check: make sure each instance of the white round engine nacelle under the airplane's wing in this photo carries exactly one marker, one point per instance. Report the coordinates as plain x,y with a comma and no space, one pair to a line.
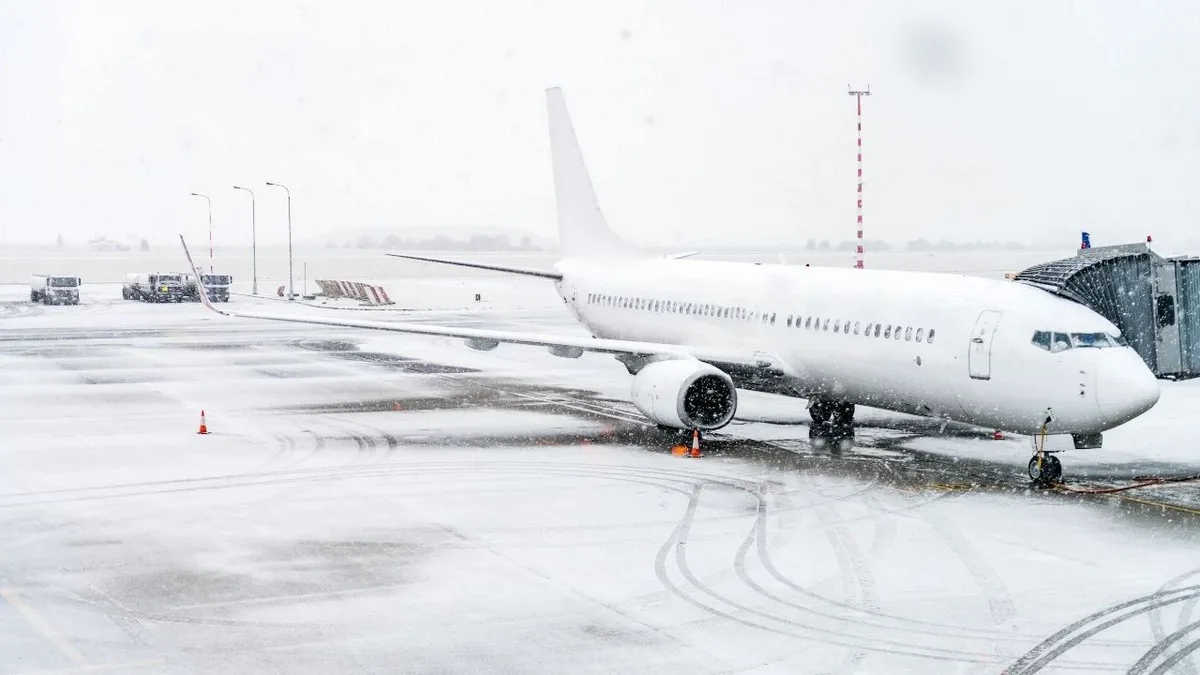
686,395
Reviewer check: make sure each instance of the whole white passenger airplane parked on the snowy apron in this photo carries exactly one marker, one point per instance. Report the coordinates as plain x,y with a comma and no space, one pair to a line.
992,354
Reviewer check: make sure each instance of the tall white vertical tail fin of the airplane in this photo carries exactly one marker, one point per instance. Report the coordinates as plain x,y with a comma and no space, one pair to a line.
583,230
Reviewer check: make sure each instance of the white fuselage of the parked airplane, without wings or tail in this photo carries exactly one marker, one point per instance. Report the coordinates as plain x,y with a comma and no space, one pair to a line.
938,345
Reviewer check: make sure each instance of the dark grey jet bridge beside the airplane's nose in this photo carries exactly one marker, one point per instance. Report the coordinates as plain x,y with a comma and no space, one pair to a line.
1154,301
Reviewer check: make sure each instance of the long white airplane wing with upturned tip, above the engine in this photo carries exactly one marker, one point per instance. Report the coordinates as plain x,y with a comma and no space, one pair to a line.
560,345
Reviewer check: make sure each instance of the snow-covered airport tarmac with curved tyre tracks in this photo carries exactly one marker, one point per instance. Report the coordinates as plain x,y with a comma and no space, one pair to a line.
387,504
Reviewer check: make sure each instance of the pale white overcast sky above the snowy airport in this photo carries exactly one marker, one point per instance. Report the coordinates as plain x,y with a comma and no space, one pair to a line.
701,122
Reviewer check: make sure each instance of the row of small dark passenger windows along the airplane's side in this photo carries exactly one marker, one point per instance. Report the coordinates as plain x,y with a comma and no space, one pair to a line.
871,330
